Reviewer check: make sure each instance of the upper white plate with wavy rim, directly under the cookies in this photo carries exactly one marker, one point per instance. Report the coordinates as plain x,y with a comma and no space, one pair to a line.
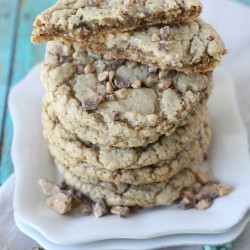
228,160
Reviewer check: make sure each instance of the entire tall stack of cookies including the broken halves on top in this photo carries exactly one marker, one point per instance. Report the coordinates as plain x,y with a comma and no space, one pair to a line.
126,83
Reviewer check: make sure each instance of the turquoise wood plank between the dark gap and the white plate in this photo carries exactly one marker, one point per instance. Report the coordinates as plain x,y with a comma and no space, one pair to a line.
26,56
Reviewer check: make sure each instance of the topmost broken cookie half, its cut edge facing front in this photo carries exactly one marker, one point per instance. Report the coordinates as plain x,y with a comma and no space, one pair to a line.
79,19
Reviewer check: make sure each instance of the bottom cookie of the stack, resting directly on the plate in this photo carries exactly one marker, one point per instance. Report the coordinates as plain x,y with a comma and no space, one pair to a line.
148,195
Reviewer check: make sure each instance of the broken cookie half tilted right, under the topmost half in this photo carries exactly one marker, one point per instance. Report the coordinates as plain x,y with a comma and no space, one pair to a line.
187,47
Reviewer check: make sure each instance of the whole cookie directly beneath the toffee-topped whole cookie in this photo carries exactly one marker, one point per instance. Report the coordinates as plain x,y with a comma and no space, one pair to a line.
112,158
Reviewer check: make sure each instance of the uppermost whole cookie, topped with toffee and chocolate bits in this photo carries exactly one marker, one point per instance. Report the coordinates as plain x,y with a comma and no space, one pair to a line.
80,83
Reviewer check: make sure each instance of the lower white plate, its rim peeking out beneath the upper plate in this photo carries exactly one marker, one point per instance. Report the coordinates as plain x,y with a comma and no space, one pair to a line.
147,244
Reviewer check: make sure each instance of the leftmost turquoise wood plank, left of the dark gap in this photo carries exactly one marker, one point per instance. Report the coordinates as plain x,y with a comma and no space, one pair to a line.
8,18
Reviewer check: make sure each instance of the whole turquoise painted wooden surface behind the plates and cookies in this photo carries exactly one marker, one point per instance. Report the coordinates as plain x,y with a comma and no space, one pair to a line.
17,57
